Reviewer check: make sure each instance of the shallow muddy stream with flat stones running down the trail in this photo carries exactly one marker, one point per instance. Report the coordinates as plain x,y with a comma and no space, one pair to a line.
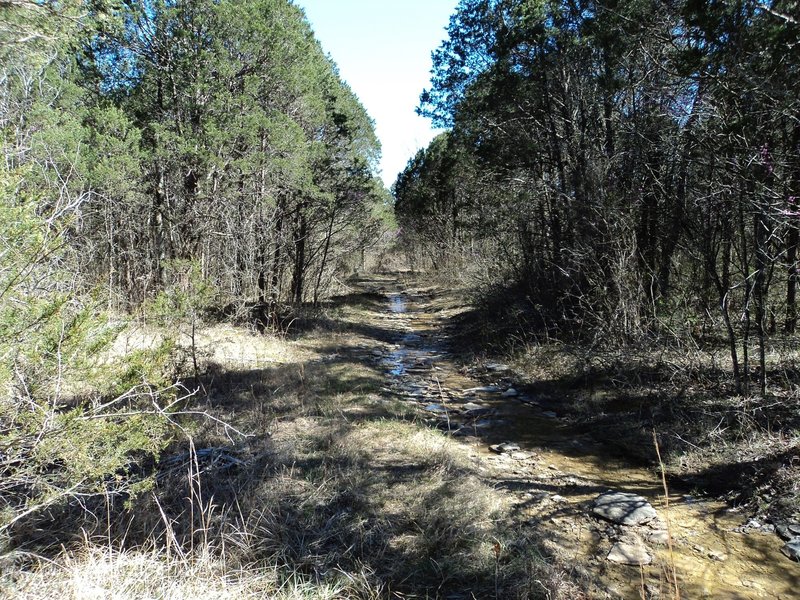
557,472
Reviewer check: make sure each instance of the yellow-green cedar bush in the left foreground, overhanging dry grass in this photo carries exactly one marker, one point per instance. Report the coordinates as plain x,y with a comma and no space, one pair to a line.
60,436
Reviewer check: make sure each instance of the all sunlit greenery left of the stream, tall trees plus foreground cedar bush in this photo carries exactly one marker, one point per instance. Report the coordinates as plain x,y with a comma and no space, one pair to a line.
176,155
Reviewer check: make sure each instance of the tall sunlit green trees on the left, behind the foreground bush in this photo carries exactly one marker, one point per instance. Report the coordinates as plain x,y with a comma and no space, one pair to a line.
215,132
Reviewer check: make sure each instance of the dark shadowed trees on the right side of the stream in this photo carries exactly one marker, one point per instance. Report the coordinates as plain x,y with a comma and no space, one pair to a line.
624,163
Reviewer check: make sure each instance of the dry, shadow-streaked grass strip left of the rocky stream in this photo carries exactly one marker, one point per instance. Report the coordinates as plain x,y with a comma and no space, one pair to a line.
336,491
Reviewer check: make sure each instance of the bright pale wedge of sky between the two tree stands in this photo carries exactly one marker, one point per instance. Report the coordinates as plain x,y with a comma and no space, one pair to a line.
383,50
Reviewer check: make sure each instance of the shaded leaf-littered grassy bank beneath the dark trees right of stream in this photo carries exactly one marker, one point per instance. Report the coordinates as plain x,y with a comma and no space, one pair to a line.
721,443
